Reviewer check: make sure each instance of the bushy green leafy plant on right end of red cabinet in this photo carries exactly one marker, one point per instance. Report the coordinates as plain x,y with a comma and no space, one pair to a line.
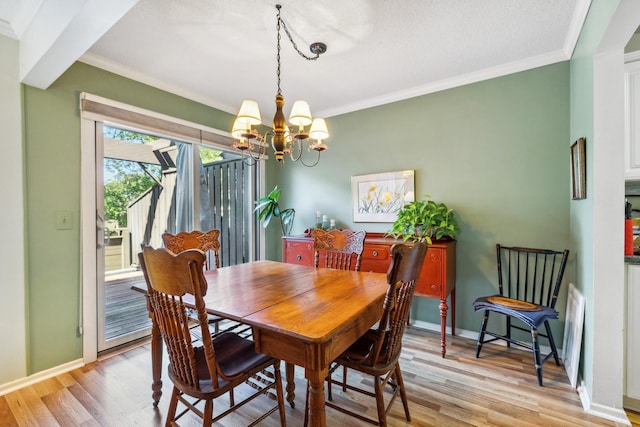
425,220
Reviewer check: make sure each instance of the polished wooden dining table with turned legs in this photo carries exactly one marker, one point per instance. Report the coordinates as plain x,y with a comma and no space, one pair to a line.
301,315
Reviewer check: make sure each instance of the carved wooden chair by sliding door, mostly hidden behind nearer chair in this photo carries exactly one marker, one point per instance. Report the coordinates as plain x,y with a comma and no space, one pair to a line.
209,243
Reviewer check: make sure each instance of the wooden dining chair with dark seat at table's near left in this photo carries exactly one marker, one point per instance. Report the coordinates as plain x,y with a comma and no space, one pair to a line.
221,364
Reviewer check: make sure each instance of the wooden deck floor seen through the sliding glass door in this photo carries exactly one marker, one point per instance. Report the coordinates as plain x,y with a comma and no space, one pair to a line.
125,309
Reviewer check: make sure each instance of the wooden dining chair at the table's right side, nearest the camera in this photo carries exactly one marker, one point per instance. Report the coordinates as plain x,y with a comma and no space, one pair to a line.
377,353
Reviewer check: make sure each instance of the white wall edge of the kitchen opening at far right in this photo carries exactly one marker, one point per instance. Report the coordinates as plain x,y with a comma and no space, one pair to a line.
608,212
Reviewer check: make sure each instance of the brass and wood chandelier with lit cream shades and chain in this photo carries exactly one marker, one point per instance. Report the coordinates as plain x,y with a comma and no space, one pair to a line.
283,141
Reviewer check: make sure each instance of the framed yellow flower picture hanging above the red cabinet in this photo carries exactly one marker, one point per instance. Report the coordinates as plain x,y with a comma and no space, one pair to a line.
378,197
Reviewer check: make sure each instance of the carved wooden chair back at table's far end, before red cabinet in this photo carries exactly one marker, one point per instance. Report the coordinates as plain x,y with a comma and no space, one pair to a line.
339,249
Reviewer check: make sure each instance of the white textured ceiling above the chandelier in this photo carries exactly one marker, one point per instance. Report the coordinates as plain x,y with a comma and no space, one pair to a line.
220,52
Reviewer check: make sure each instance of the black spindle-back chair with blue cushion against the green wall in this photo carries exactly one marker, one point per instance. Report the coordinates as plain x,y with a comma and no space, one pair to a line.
529,281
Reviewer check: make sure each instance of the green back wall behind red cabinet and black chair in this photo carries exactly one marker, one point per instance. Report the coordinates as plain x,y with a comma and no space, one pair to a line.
496,151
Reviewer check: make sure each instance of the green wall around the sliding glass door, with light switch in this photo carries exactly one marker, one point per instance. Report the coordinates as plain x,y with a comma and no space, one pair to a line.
52,153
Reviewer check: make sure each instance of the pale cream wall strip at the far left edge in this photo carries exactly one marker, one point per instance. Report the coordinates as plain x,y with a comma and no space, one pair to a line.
12,268
